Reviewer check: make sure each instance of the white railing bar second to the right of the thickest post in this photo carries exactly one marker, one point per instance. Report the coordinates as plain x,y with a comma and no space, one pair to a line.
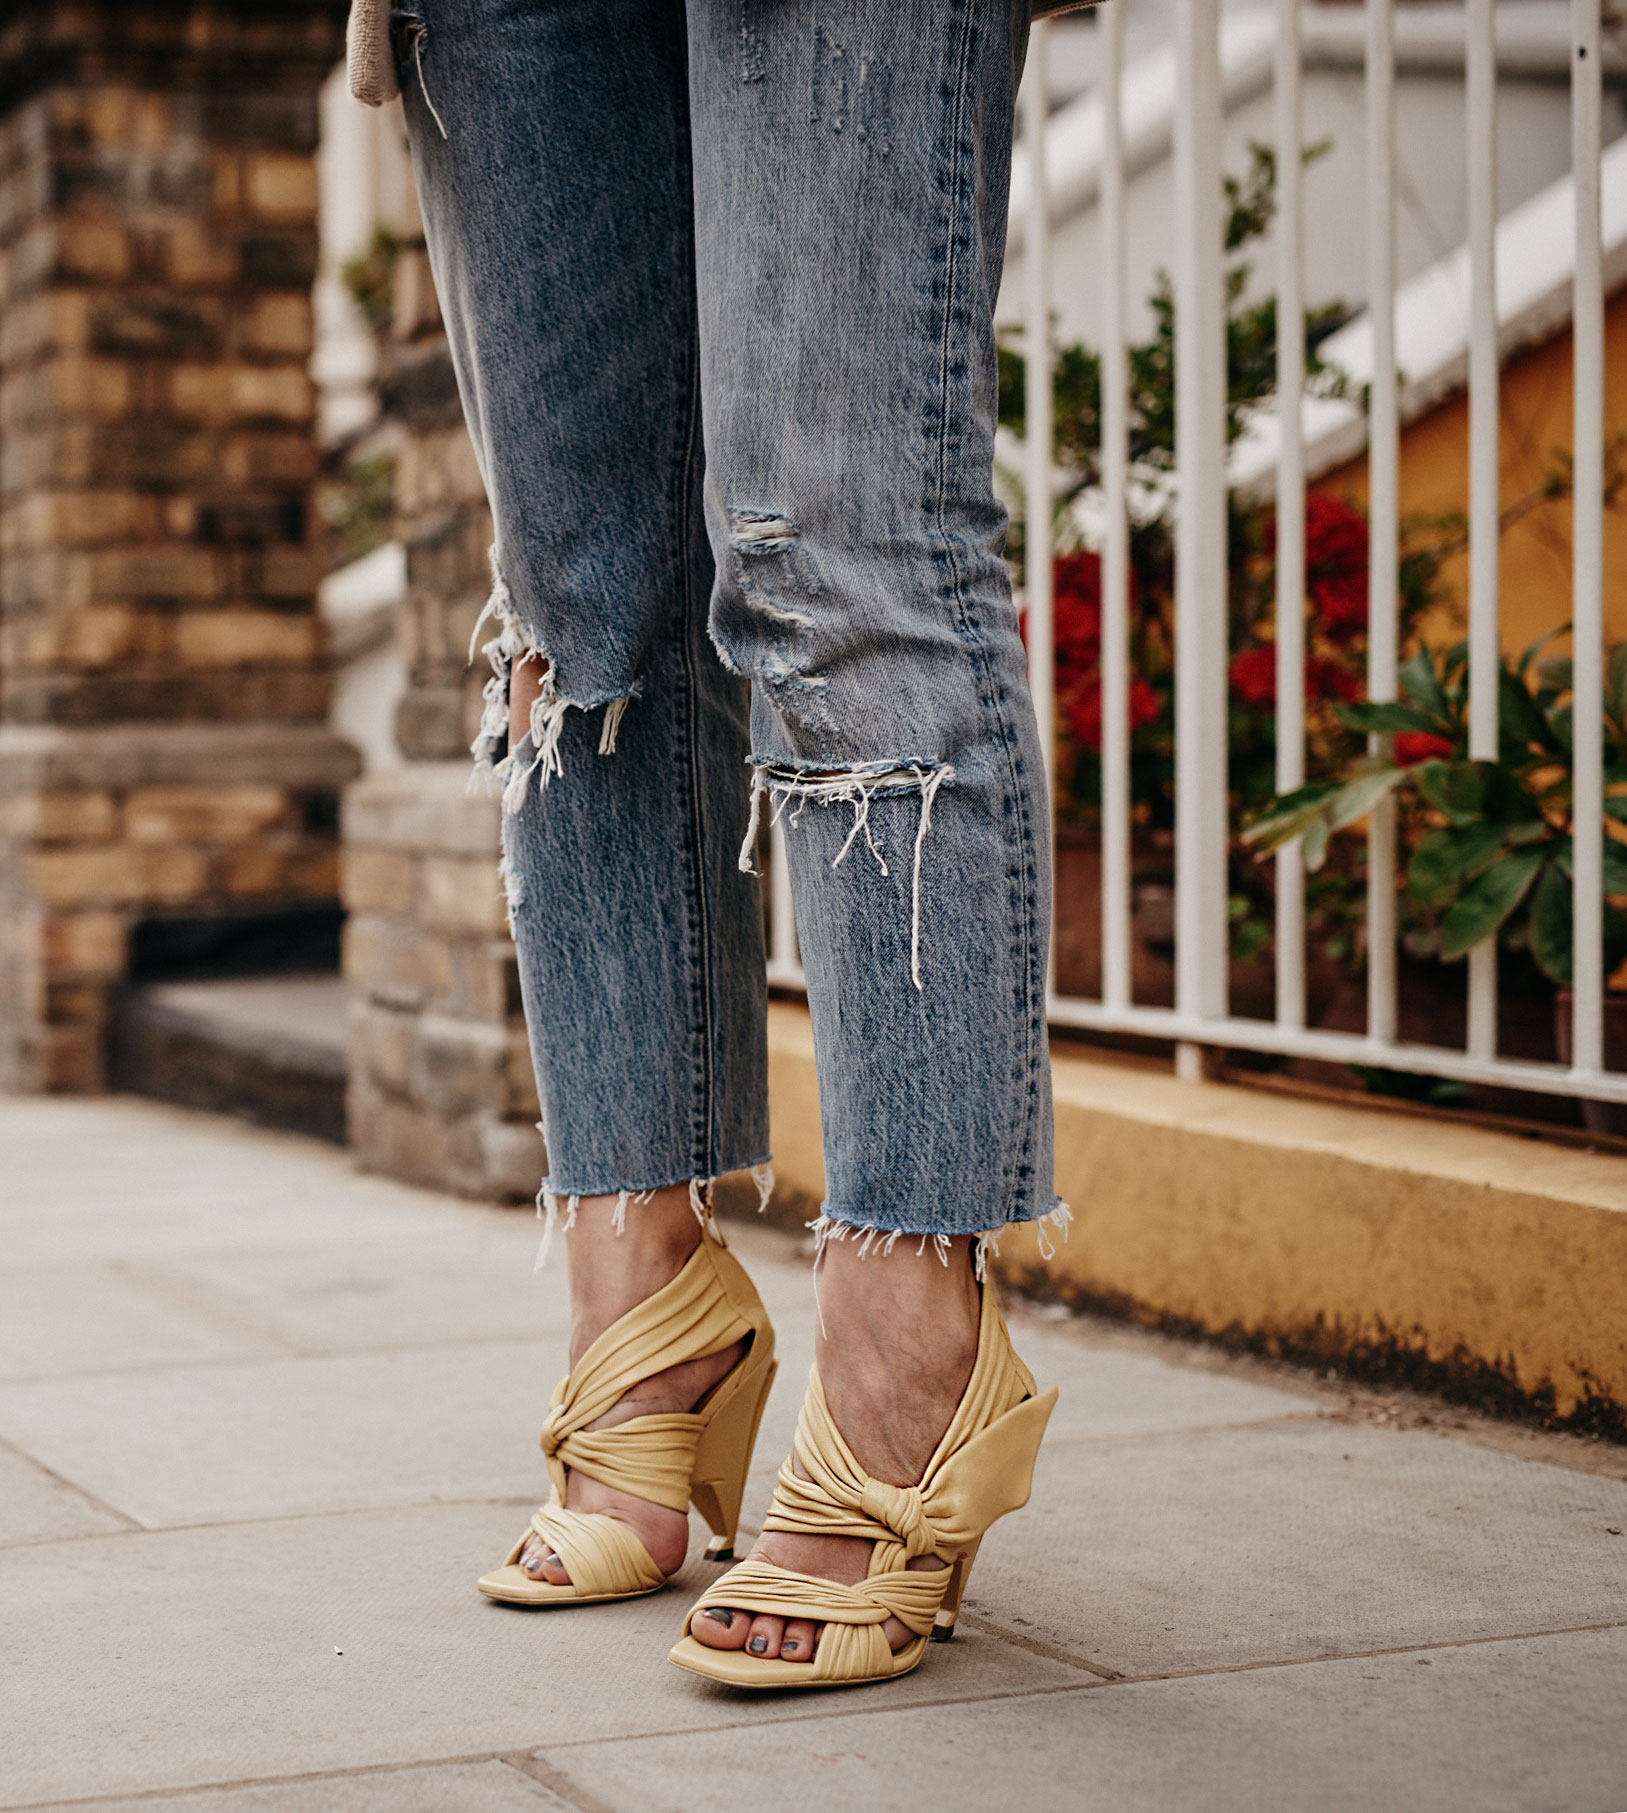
1383,498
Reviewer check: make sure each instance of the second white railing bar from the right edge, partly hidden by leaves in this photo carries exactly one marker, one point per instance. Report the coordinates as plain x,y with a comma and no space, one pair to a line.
1485,652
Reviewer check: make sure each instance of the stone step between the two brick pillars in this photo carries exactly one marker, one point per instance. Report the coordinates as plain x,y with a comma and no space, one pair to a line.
268,1049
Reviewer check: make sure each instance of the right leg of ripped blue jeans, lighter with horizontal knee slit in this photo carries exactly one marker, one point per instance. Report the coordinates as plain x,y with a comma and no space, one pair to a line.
852,170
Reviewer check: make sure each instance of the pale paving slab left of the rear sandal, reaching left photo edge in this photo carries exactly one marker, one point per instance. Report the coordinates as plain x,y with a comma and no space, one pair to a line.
295,1437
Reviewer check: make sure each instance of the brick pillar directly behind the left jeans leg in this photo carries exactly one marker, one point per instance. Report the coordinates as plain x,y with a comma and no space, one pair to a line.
442,1085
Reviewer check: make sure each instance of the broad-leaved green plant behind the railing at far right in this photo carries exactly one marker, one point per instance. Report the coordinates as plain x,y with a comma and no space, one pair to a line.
1492,842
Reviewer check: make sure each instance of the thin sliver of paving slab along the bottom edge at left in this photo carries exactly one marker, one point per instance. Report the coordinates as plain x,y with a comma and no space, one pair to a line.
489,1787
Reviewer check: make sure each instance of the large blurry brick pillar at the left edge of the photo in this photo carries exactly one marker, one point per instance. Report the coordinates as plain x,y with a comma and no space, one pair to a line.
162,683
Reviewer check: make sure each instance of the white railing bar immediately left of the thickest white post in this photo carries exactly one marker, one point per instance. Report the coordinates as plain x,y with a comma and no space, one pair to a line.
1116,539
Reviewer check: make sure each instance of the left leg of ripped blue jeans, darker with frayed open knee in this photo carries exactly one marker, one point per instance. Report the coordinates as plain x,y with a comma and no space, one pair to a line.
552,153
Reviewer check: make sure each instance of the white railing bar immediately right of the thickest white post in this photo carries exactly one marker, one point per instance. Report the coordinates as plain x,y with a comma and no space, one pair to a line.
1291,505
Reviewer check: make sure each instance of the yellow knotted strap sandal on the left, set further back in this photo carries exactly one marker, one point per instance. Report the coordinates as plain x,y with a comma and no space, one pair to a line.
699,1457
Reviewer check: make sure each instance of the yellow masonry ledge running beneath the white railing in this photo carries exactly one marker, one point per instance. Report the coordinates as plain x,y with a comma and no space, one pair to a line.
1445,1256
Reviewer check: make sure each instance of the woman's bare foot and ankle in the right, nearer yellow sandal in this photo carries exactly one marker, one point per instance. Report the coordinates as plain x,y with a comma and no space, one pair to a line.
897,1350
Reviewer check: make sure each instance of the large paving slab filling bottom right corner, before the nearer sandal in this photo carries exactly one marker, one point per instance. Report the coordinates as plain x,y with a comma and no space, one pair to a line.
1501,1729
